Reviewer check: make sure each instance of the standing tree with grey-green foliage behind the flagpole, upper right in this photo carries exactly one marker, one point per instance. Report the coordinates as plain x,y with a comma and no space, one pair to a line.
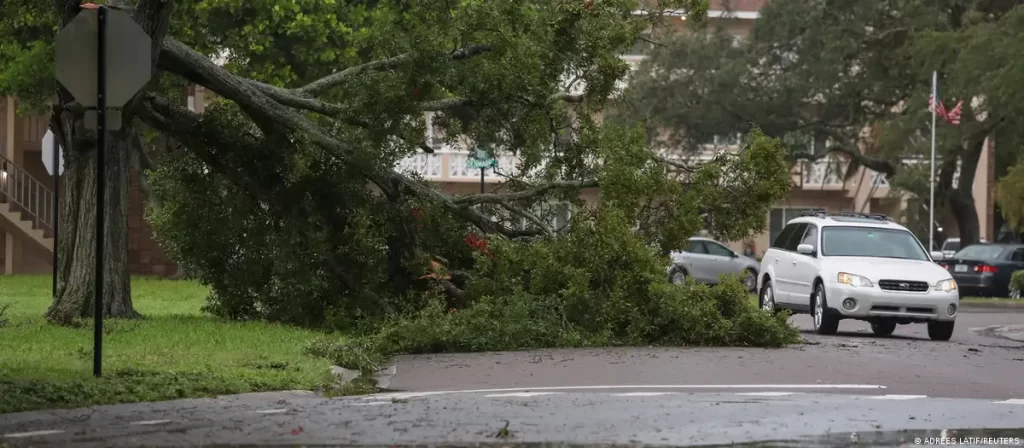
819,74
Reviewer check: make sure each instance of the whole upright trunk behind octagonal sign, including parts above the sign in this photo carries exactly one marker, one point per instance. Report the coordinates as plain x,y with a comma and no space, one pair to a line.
77,248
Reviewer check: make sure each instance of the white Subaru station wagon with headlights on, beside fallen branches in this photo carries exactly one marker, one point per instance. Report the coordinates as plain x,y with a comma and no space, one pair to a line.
858,266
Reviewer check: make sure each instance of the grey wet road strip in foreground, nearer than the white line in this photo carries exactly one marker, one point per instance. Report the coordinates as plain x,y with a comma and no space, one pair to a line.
587,418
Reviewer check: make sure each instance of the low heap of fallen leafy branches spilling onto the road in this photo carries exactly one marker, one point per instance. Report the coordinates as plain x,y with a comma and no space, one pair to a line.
599,286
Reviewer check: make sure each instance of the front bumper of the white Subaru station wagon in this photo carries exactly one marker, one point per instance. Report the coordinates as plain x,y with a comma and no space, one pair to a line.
875,302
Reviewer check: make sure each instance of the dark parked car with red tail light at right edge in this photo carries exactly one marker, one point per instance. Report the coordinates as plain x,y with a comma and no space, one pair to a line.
986,270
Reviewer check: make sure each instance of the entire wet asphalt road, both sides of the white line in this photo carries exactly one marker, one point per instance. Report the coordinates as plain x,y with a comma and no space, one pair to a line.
850,383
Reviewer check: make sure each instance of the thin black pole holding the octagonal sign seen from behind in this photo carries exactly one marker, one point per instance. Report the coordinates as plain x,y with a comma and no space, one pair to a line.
98,337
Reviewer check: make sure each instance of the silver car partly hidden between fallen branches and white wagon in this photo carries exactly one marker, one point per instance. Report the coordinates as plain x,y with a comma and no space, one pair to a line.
705,260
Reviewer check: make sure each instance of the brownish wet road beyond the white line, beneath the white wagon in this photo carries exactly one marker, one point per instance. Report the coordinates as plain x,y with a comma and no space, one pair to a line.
971,366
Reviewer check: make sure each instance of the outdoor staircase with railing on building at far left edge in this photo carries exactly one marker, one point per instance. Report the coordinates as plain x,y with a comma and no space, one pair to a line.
26,206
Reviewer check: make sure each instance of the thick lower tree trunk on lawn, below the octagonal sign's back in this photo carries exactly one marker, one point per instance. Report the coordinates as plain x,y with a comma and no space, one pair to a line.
77,246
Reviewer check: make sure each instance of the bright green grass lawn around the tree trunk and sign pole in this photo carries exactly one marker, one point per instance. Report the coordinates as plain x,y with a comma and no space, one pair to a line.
175,352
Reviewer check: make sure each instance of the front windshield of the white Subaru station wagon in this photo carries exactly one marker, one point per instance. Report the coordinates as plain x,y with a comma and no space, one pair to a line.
871,242
